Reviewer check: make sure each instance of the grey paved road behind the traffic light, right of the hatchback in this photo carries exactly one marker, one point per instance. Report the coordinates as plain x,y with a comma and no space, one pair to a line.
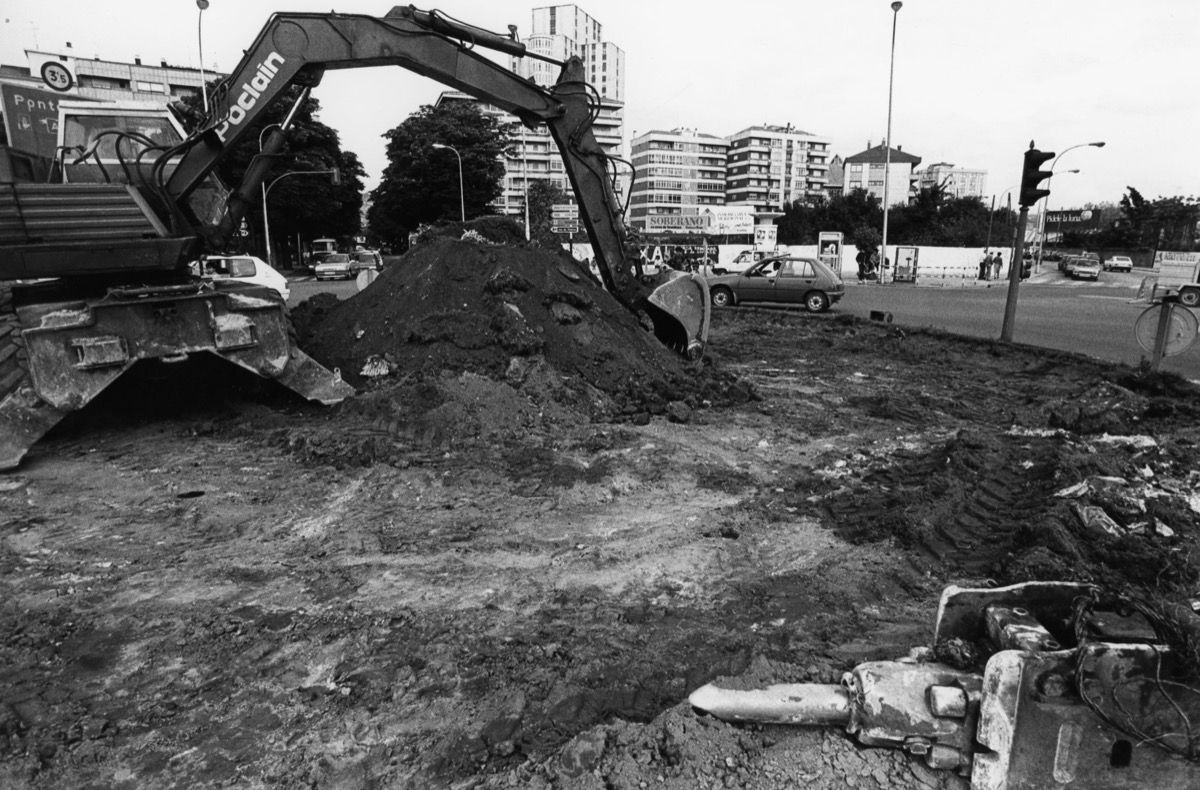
1052,313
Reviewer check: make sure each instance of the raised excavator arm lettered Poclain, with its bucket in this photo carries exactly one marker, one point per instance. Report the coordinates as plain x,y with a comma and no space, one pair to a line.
298,49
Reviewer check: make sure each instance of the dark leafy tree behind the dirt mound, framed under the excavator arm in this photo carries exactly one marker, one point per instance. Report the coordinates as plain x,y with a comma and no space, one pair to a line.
421,183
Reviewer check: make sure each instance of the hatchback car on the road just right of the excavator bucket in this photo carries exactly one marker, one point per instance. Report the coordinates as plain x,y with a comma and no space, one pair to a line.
781,280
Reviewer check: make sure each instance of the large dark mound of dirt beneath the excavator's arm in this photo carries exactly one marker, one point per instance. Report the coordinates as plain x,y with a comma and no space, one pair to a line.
495,310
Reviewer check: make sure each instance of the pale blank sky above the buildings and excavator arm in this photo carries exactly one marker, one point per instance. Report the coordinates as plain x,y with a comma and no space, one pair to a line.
974,81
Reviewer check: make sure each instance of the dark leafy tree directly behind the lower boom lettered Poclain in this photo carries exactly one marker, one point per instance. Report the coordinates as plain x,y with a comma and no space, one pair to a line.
309,206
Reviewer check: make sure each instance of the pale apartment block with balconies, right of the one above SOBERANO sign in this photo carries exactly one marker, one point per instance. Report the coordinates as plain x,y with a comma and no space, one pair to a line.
772,166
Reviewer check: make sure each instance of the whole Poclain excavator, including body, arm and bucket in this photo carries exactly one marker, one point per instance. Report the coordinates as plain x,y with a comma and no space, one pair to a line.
94,273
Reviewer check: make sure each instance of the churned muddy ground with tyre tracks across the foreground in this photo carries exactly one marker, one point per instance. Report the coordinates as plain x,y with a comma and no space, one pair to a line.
471,577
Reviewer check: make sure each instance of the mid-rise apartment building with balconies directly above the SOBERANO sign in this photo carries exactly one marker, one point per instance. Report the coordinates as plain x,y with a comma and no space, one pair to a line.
679,173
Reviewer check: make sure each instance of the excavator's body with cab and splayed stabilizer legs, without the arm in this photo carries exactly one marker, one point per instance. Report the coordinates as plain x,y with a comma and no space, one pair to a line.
94,280
